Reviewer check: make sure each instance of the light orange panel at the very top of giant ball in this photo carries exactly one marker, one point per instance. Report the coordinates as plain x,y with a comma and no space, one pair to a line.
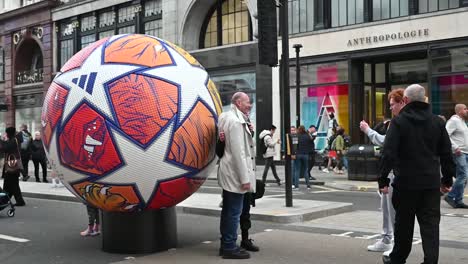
138,50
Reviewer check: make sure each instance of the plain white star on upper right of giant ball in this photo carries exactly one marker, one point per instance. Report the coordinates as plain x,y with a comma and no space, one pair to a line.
192,82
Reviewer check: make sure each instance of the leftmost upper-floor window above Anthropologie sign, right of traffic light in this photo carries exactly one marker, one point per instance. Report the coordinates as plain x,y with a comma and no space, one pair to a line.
301,16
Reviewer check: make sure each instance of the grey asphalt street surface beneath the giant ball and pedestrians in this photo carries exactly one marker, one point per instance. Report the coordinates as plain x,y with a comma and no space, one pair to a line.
47,231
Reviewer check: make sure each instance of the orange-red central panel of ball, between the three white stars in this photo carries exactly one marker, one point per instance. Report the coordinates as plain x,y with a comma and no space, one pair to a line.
143,105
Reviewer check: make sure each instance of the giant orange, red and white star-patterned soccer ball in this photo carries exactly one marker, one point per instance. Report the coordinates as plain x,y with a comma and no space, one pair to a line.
129,124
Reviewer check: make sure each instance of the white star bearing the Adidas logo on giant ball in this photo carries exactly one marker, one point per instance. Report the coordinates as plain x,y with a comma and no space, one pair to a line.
88,82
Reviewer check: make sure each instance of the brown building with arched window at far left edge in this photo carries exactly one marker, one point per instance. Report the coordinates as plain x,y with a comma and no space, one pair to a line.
26,30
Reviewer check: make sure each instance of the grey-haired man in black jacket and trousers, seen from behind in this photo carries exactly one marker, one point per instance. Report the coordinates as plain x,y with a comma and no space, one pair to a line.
416,145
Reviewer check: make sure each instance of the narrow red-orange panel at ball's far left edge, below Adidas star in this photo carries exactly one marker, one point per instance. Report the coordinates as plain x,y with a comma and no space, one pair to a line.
52,111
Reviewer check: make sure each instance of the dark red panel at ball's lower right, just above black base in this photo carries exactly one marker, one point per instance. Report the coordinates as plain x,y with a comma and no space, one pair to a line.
173,192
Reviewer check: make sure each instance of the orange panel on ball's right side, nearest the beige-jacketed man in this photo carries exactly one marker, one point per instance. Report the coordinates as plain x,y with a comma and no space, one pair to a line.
194,140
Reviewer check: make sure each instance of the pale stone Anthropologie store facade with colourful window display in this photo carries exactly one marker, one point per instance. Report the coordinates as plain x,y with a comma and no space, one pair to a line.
356,51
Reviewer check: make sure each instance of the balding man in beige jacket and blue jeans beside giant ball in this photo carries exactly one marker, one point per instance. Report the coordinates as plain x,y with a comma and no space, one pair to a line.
236,173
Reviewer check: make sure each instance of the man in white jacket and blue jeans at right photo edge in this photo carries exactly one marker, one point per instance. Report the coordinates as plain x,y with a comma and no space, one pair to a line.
458,133
